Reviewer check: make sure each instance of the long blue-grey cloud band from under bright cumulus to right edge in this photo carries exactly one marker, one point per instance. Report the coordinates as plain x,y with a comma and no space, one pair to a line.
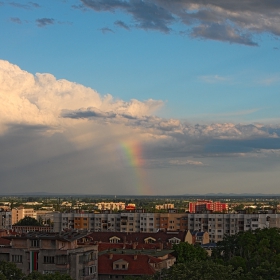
178,139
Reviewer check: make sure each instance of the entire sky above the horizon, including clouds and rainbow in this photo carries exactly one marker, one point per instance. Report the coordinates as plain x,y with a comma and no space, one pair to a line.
139,97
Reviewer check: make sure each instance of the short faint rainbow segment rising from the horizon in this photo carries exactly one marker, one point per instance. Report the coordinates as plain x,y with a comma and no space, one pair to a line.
132,152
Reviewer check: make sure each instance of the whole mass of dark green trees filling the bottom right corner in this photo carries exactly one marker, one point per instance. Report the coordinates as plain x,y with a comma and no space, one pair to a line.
250,255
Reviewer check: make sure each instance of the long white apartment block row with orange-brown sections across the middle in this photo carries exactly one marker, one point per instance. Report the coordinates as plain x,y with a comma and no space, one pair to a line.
217,225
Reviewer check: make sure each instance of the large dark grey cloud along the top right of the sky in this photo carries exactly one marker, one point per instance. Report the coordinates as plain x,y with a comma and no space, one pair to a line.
234,21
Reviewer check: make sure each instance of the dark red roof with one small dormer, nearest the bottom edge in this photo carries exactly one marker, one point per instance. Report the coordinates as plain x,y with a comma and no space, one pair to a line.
140,266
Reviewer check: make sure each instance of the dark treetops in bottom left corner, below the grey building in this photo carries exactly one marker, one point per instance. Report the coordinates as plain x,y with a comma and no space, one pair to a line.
9,271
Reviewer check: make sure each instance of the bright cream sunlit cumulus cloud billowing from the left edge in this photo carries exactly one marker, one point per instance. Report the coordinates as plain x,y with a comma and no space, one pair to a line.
39,100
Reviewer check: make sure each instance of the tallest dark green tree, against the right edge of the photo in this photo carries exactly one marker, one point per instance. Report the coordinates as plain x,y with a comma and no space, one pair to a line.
256,252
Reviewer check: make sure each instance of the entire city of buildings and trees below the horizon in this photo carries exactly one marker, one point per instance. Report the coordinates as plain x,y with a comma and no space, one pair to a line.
110,237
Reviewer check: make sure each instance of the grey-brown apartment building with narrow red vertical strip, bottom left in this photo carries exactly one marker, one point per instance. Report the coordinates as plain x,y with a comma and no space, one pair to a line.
49,253
